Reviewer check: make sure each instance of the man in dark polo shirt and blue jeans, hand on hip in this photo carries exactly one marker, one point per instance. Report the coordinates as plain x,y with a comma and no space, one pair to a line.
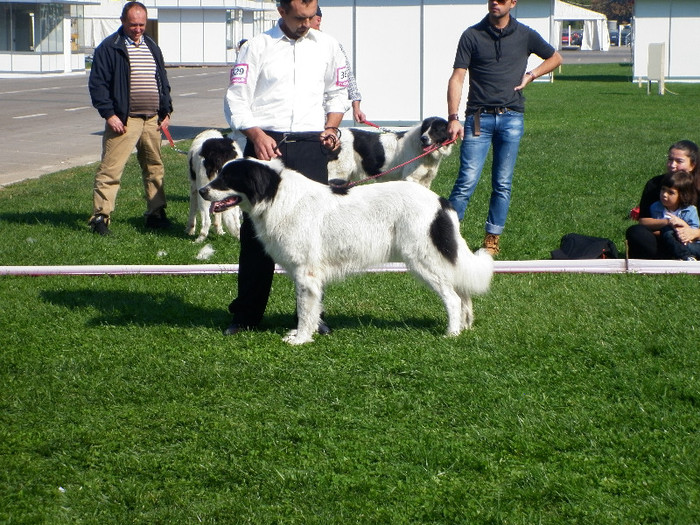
495,53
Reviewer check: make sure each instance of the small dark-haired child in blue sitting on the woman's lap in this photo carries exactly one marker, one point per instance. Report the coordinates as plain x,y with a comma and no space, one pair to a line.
675,208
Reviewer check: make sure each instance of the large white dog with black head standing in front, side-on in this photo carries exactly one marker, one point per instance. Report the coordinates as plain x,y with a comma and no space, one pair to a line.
319,234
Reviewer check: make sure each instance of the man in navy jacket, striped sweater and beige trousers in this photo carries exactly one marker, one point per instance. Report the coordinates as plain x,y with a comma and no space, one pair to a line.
129,88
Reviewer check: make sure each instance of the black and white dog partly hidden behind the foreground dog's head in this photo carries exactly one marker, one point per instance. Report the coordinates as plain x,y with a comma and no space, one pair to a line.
209,151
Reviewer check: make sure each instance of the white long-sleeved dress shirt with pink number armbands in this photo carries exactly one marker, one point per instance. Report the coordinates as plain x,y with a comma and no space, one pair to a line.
281,84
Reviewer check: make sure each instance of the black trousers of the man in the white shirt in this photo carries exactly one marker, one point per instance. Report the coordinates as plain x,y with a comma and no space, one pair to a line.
301,152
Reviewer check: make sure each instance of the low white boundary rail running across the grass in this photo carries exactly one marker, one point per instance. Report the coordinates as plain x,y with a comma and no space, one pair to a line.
598,266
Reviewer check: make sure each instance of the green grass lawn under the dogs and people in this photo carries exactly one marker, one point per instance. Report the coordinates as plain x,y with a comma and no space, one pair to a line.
574,399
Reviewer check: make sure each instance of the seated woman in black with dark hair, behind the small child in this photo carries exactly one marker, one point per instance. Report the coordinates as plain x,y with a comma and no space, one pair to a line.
643,243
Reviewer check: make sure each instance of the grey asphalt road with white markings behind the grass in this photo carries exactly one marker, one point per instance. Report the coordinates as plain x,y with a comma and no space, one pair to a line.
47,123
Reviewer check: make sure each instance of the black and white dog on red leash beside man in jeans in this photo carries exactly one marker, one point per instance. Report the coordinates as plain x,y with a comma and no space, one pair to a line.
366,153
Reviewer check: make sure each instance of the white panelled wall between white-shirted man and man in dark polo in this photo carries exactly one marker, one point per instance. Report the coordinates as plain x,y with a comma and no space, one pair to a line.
403,52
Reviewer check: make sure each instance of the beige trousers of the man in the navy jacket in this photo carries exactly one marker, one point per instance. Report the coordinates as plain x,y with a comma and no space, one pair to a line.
144,135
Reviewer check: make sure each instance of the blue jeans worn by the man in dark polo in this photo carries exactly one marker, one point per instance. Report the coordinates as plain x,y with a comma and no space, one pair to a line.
503,132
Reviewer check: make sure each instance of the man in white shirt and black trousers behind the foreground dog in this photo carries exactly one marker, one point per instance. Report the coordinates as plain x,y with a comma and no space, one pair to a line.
288,95
